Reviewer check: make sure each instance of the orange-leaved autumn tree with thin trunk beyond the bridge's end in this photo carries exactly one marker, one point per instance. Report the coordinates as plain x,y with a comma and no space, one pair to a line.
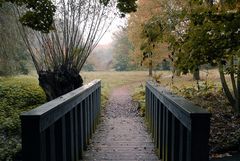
145,31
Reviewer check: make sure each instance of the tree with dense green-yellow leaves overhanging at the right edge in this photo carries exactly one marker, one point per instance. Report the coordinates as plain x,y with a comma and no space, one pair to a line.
213,37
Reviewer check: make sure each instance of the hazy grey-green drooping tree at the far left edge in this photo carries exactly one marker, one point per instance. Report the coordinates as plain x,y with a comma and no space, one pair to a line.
13,53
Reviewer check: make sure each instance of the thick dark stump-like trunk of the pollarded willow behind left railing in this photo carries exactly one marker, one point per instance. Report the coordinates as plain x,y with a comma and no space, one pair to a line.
59,82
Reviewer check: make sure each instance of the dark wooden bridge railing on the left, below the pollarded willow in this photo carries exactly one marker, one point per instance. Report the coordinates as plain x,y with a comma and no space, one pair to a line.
60,129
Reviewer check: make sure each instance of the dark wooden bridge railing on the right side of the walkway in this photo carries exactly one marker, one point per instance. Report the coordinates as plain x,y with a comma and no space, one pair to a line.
180,129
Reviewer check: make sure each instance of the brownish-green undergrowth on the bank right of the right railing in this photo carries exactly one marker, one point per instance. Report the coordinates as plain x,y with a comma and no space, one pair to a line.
225,124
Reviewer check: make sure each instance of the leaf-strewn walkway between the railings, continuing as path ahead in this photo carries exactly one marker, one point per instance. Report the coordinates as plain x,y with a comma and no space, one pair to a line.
121,134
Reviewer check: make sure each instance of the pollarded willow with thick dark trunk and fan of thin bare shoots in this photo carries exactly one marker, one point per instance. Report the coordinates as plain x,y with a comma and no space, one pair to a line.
59,55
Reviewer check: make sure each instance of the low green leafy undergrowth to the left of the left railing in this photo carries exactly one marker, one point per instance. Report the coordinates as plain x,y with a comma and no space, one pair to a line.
17,94
